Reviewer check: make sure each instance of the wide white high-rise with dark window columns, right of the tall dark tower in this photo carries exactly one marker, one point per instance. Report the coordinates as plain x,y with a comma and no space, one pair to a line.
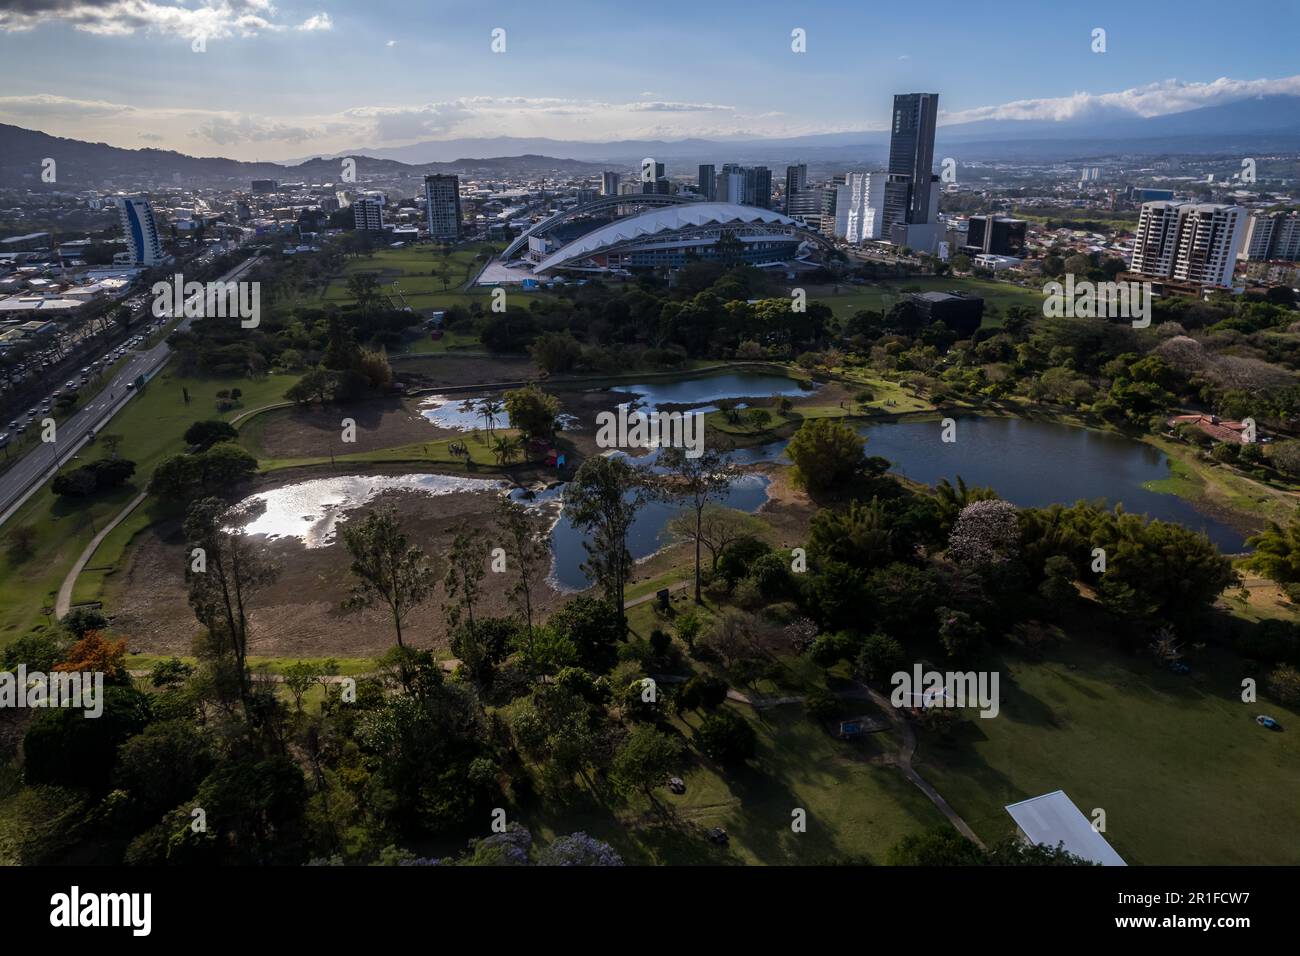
1195,244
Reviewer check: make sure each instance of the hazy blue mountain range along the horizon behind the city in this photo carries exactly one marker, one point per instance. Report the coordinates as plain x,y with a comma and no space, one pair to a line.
1251,127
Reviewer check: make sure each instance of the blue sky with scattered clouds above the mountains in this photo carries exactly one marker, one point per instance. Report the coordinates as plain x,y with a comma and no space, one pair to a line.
268,80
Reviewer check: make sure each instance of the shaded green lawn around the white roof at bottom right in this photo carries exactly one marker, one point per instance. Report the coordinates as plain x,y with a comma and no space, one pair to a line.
1185,775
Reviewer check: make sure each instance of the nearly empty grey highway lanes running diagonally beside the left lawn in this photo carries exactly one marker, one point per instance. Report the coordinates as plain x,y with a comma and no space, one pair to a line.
42,462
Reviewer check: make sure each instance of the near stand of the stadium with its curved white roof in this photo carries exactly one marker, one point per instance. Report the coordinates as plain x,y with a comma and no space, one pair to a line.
674,235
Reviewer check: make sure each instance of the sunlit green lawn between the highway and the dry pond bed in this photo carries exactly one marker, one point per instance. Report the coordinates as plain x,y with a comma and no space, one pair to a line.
151,427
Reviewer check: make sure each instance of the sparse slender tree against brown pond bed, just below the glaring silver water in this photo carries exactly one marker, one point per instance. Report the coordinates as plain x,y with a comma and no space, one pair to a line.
388,568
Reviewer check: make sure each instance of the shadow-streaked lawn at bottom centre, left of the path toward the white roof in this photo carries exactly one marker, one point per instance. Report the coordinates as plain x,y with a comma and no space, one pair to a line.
855,808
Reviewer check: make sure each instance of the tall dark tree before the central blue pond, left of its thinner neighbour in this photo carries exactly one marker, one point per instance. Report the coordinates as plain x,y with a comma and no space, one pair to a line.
604,500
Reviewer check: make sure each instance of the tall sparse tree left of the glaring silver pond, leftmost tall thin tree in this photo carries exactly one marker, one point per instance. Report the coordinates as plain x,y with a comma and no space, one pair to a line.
232,573
